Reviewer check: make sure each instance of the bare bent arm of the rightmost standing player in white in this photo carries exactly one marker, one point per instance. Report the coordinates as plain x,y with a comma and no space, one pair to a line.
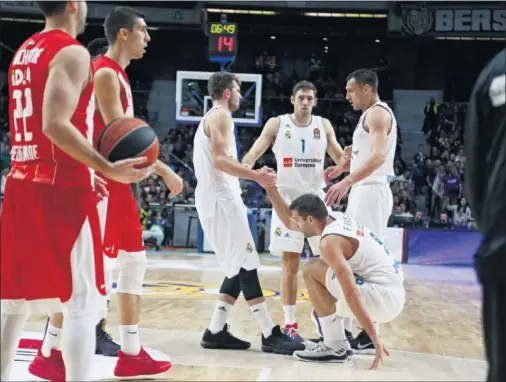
378,122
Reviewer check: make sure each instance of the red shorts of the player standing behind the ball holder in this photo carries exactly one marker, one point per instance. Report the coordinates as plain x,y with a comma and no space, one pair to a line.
123,229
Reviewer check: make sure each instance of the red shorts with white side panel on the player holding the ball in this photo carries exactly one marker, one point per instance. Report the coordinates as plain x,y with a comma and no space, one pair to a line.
51,247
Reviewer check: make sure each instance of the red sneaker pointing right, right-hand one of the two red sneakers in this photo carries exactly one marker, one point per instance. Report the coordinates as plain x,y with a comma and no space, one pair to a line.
139,365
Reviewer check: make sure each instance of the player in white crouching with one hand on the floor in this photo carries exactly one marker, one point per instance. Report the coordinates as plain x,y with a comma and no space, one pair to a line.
355,276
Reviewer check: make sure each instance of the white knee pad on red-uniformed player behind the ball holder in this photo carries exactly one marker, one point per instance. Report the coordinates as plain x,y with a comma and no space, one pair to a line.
131,270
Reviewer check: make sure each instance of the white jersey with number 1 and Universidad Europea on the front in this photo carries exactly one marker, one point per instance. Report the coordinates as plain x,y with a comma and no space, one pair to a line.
300,155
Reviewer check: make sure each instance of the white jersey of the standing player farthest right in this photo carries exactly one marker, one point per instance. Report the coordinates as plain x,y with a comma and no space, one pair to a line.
361,149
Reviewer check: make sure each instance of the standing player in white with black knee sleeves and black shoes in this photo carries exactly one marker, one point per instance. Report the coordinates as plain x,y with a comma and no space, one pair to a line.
223,217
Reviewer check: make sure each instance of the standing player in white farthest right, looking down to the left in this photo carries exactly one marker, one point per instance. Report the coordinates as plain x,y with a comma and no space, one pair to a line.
372,166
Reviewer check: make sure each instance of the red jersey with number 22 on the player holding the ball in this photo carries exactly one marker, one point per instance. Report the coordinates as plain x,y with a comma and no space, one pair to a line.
34,157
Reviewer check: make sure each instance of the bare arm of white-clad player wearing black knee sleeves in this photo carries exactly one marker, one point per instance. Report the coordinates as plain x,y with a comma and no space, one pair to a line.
217,127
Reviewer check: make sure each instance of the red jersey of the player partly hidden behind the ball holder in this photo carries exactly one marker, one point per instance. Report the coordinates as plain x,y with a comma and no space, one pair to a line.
125,92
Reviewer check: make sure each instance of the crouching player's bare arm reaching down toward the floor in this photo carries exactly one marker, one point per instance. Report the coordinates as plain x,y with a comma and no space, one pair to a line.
333,249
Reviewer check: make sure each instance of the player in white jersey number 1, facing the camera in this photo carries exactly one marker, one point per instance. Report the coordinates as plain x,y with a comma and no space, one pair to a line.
300,142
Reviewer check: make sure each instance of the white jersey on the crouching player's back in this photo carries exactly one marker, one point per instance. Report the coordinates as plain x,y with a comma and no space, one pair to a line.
371,261
